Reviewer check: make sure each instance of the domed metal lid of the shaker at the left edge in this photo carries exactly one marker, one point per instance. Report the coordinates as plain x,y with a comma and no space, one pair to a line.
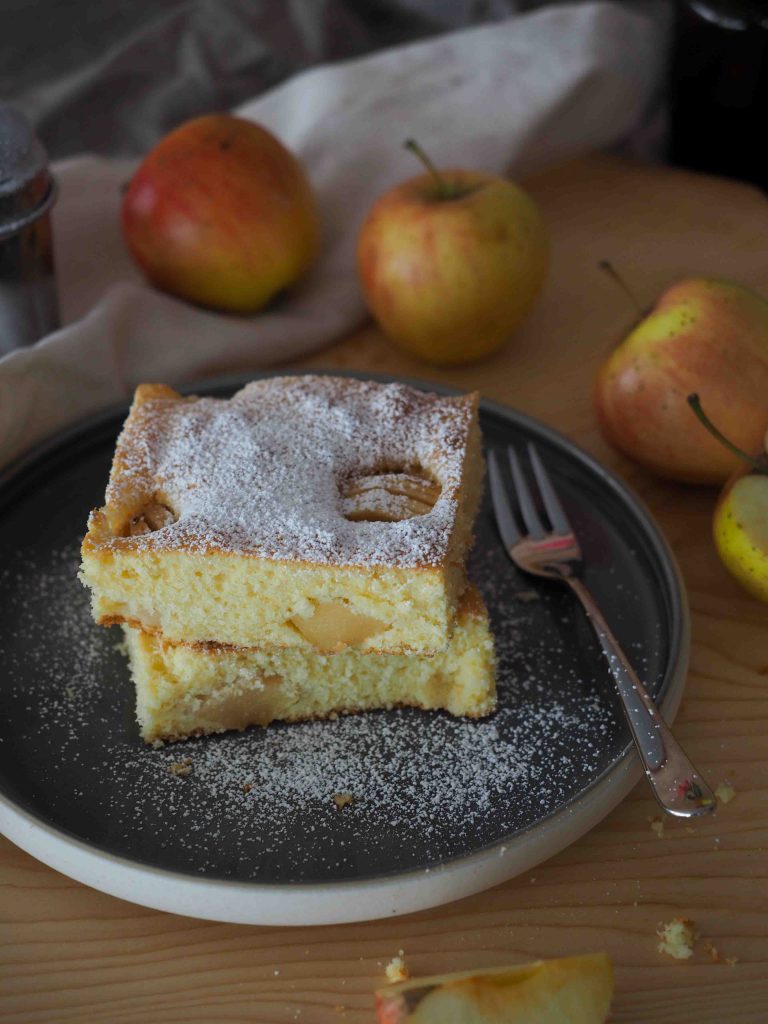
27,188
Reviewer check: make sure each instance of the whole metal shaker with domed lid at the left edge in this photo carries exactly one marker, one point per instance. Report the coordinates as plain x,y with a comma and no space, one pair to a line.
29,303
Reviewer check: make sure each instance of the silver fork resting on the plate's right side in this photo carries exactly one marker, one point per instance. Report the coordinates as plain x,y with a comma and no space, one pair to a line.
554,553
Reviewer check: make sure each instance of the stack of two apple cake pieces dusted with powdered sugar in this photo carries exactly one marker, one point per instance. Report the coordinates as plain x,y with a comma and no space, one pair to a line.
294,552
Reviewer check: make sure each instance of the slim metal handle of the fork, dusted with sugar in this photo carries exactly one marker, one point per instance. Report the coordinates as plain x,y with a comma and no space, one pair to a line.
676,784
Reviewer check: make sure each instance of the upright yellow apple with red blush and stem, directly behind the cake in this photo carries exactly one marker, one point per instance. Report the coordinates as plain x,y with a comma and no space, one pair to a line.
451,263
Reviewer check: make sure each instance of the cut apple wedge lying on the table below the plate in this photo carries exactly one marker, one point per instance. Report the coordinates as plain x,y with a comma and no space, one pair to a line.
571,991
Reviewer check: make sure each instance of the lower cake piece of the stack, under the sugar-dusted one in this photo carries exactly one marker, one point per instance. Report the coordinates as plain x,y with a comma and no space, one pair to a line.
192,690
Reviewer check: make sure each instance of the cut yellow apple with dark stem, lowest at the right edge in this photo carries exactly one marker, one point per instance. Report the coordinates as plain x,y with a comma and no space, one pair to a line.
741,522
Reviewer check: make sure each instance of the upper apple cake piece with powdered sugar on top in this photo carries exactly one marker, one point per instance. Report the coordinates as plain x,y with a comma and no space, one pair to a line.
319,513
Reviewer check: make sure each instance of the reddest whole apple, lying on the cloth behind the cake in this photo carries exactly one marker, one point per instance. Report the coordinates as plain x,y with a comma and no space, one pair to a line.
221,214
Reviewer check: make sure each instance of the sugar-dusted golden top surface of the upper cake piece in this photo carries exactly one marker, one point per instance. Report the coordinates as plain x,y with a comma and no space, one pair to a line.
293,468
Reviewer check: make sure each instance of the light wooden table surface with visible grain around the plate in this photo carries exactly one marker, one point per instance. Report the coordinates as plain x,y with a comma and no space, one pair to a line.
71,954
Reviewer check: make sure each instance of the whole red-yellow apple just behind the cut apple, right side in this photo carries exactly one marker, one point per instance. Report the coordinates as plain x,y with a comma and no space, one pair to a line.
703,335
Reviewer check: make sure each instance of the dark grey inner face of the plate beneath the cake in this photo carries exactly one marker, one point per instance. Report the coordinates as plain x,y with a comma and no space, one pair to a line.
259,807
